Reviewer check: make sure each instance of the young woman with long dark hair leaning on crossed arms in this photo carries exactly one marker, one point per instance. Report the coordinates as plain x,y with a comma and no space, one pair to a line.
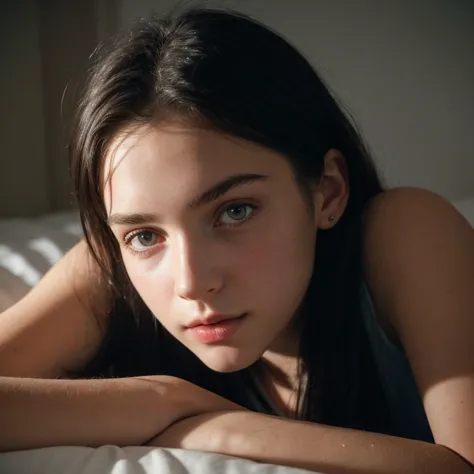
247,286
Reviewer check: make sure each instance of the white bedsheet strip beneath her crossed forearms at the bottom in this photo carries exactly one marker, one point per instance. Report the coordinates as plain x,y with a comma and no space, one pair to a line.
131,460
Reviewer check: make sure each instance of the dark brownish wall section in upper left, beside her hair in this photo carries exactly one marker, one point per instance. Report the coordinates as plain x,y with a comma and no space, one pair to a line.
45,49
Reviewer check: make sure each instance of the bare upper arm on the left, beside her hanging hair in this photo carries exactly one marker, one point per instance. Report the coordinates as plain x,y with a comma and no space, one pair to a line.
58,325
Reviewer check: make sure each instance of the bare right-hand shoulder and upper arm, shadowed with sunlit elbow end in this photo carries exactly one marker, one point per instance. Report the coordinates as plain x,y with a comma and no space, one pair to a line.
418,261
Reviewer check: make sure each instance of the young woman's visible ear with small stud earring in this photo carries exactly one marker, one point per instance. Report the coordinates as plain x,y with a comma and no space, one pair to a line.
332,191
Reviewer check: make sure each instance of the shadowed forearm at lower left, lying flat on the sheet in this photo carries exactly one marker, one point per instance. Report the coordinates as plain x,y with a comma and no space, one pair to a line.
128,411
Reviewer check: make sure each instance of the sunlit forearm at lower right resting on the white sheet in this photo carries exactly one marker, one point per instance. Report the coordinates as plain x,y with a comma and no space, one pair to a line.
316,447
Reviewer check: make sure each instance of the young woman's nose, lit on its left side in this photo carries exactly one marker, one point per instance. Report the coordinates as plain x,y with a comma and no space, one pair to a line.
195,269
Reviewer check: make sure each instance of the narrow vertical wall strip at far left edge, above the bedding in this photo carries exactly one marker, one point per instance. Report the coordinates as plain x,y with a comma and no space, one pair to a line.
22,144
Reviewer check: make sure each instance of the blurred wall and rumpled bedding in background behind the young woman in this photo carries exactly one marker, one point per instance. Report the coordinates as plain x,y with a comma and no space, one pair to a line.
404,69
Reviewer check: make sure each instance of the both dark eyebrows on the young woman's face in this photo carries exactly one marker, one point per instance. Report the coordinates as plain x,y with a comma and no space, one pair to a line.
212,194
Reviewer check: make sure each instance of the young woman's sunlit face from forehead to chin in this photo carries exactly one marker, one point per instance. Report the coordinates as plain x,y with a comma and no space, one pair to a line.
212,230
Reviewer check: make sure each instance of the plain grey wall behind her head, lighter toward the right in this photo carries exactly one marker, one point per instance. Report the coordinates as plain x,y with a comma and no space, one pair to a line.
404,69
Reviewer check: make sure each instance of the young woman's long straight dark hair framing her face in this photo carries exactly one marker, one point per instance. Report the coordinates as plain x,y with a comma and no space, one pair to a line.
228,72
